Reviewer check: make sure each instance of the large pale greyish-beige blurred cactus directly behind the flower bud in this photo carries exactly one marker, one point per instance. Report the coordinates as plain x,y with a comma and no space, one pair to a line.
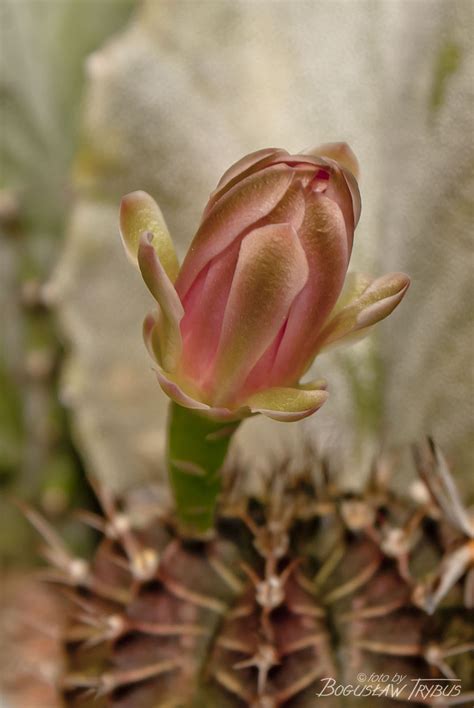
169,106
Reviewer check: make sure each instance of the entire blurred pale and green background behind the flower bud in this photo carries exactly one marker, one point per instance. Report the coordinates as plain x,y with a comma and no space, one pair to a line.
101,97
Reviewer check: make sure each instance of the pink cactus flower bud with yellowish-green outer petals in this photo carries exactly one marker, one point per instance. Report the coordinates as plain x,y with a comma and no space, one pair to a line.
263,286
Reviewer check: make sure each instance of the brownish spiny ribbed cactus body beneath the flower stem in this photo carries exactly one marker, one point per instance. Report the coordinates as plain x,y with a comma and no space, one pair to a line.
303,591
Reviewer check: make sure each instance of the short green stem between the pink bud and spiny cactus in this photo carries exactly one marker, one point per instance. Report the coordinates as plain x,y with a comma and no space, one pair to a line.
197,448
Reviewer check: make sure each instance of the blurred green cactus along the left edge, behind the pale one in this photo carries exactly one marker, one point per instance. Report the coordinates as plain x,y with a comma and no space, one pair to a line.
43,47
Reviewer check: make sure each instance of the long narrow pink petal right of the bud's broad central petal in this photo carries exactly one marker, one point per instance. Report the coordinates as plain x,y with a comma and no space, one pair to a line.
323,236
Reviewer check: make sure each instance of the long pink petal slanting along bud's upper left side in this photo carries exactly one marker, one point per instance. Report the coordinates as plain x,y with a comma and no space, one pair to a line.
245,204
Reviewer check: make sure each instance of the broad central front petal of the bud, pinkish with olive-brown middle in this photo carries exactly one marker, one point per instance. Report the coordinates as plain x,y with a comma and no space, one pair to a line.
271,271
